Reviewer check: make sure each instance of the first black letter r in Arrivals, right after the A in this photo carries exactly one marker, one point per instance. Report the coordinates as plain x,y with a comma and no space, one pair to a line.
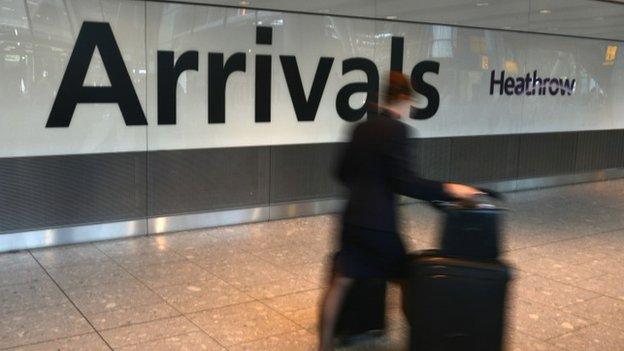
168,75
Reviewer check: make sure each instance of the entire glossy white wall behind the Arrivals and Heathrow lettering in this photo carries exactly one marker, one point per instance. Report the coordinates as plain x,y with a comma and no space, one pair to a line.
35,58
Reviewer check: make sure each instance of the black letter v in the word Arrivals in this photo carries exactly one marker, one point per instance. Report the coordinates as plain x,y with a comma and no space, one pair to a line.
305,108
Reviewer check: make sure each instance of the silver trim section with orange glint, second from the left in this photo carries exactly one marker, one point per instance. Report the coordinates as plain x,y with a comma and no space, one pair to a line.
176,223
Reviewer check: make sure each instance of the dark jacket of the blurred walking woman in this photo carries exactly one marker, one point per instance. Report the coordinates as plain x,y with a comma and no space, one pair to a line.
374,167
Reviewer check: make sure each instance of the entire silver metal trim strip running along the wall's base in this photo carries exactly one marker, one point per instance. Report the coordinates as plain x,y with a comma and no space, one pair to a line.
116,230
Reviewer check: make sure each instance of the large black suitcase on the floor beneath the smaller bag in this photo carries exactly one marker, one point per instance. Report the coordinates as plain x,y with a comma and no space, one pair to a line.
455,304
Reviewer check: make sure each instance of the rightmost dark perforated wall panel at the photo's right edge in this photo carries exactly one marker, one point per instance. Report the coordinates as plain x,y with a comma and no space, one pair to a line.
600,150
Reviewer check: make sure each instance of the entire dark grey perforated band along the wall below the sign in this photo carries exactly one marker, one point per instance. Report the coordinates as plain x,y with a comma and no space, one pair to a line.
55,191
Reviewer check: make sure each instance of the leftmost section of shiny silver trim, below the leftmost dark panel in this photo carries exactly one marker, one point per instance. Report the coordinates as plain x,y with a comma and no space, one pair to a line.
72,235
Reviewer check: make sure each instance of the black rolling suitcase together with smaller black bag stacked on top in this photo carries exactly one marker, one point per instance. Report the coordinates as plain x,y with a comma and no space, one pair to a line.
456,295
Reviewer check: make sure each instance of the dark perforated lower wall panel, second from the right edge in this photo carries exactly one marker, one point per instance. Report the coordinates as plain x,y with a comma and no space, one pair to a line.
547,154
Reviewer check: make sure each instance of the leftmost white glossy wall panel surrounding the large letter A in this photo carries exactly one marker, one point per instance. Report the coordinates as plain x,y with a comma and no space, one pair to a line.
34,61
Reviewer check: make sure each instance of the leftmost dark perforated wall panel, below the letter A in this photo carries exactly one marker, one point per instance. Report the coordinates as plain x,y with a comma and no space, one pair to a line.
43,192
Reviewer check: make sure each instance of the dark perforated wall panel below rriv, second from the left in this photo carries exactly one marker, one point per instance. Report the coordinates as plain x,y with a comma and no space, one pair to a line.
184,181
